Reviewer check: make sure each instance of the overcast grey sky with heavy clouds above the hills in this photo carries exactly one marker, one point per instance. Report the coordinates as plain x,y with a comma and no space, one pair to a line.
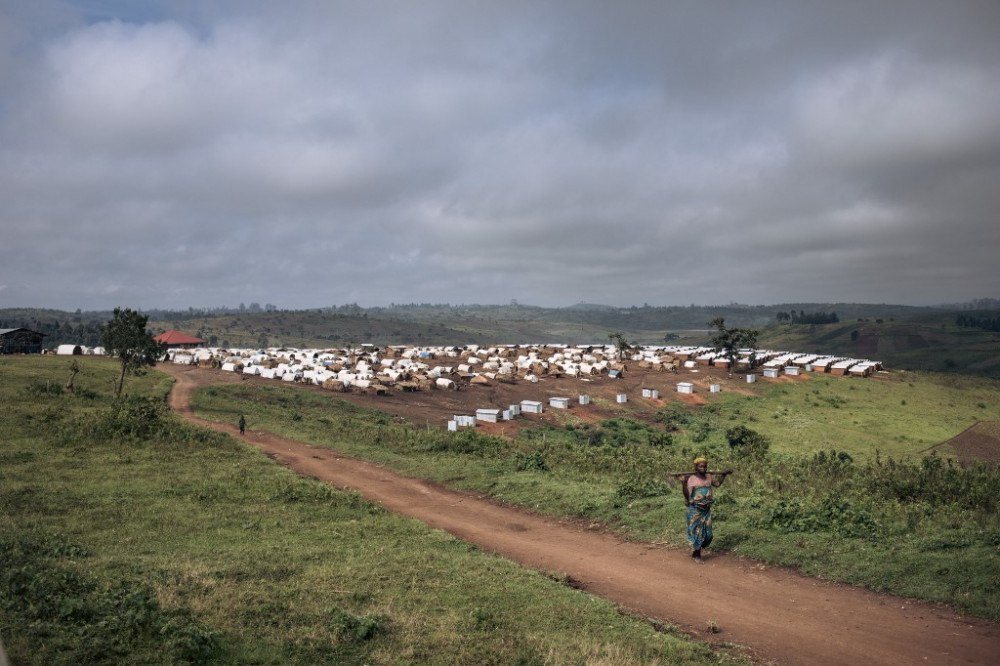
196,153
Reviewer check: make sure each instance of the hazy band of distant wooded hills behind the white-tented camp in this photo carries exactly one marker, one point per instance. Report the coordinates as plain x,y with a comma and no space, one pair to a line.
900,335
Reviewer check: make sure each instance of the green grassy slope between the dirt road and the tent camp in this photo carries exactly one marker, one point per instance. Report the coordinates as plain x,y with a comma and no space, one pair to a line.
821,499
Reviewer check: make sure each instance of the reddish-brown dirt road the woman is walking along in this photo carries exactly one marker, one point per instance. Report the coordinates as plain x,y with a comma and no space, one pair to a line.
778,614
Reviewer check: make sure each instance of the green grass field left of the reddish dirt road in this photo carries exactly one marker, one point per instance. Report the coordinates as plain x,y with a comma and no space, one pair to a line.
127,536
